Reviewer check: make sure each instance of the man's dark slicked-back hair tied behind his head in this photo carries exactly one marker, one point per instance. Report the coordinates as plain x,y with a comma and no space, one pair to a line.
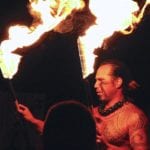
119,69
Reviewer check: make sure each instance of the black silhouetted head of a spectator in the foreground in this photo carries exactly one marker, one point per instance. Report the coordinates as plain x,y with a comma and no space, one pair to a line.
69,125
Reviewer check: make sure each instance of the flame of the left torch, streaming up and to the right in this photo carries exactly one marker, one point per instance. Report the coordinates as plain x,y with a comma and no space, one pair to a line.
47,15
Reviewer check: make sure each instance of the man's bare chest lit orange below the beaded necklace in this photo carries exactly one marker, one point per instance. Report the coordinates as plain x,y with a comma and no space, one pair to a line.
113,129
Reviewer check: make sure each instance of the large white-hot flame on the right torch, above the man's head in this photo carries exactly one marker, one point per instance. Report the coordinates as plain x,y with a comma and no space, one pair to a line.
122,17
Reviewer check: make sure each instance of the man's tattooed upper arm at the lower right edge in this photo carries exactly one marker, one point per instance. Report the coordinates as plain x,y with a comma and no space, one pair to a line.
138,132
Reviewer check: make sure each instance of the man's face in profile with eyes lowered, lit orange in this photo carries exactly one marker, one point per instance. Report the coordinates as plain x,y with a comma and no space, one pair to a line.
105,83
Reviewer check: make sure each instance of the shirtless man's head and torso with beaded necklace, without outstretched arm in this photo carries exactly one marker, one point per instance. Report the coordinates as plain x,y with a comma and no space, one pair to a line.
120,124
